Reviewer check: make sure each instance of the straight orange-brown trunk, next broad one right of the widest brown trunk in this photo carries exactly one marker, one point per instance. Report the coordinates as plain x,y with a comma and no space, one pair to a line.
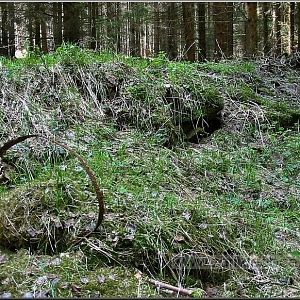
251,28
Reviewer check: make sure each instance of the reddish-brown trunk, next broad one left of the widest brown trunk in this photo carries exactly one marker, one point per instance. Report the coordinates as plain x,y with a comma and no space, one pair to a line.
189,29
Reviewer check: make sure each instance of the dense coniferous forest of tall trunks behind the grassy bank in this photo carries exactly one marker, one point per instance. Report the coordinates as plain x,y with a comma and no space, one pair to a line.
183,30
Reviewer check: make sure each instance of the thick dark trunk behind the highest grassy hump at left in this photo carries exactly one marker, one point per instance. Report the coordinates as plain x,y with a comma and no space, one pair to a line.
71,22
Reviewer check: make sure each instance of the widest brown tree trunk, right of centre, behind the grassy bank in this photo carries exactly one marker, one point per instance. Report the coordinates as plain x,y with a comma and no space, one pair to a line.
222,13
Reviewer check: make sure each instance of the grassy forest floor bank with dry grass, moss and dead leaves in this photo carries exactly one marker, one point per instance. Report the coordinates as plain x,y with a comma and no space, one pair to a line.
219,217
